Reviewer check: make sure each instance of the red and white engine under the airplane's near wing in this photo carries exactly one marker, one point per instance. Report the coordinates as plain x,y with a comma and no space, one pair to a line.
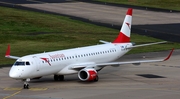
88,75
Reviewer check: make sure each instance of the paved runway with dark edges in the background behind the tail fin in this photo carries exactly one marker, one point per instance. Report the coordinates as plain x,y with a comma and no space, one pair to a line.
162,25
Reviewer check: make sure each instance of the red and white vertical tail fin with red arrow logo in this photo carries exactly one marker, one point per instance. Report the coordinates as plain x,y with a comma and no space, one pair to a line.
124,35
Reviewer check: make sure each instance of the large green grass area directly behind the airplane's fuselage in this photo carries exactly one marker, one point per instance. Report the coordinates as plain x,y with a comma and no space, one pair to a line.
31,32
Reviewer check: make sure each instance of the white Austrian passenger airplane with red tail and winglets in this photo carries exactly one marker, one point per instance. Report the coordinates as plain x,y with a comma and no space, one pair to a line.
83,61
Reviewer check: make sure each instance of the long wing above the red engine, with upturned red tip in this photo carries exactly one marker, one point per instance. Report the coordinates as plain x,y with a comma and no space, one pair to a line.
93,65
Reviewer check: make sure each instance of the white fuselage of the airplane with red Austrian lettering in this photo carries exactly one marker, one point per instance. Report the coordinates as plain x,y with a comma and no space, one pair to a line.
60,62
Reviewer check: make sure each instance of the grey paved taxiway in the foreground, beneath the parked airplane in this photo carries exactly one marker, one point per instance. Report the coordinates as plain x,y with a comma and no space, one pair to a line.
147,81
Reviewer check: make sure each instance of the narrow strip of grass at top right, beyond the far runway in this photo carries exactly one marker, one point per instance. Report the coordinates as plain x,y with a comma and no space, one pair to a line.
164,4
